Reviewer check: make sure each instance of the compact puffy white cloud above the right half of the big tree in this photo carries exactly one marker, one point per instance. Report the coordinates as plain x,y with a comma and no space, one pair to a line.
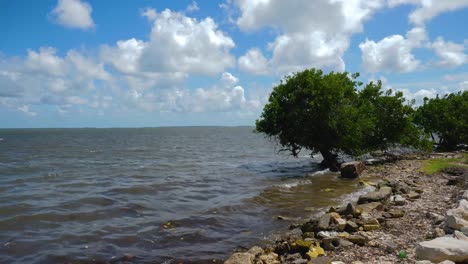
393,53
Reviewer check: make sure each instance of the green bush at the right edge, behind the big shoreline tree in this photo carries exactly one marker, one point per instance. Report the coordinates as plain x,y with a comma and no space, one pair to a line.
445,118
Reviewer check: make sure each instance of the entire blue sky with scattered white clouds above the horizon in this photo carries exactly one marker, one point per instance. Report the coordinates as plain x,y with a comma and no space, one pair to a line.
77,63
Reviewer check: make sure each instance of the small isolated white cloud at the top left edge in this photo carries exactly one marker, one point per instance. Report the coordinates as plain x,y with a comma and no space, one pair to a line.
73,14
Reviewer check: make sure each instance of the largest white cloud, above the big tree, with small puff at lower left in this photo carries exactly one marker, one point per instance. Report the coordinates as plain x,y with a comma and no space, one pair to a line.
310,33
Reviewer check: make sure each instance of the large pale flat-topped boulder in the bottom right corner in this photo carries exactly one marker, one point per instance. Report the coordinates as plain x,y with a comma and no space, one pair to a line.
443,248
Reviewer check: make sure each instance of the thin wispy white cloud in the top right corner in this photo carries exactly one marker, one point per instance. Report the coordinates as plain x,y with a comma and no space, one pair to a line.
428,9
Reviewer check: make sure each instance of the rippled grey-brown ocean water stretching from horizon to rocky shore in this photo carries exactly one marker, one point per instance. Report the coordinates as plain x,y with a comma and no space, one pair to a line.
159,194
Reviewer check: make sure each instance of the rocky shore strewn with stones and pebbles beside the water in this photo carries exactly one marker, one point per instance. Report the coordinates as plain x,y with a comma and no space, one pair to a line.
410,217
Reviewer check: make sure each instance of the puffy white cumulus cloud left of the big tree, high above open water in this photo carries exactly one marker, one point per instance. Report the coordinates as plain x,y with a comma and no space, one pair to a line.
182,44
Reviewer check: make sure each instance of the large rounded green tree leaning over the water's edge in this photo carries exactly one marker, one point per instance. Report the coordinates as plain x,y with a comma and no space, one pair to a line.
325,113
